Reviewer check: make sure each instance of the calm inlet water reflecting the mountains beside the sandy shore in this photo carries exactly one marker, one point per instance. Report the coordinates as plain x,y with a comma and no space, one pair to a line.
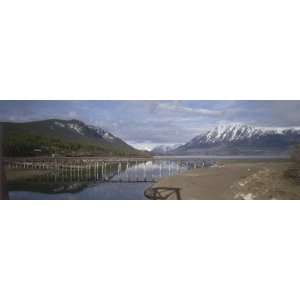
126,180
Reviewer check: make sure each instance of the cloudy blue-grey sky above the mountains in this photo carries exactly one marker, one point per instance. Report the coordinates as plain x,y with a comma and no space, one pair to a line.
146,124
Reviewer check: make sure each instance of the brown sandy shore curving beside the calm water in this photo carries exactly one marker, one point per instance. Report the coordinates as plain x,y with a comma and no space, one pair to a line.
229,180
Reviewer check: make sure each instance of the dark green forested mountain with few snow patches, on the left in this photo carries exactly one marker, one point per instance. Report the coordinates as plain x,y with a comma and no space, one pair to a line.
62,137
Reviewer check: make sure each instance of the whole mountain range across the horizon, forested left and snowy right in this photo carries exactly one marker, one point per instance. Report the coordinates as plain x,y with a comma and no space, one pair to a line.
74,138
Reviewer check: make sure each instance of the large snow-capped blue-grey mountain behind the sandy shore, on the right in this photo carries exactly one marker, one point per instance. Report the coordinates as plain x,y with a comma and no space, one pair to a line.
240,139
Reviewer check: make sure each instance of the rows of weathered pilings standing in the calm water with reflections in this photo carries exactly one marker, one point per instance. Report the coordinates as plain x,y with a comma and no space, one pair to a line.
122,170
